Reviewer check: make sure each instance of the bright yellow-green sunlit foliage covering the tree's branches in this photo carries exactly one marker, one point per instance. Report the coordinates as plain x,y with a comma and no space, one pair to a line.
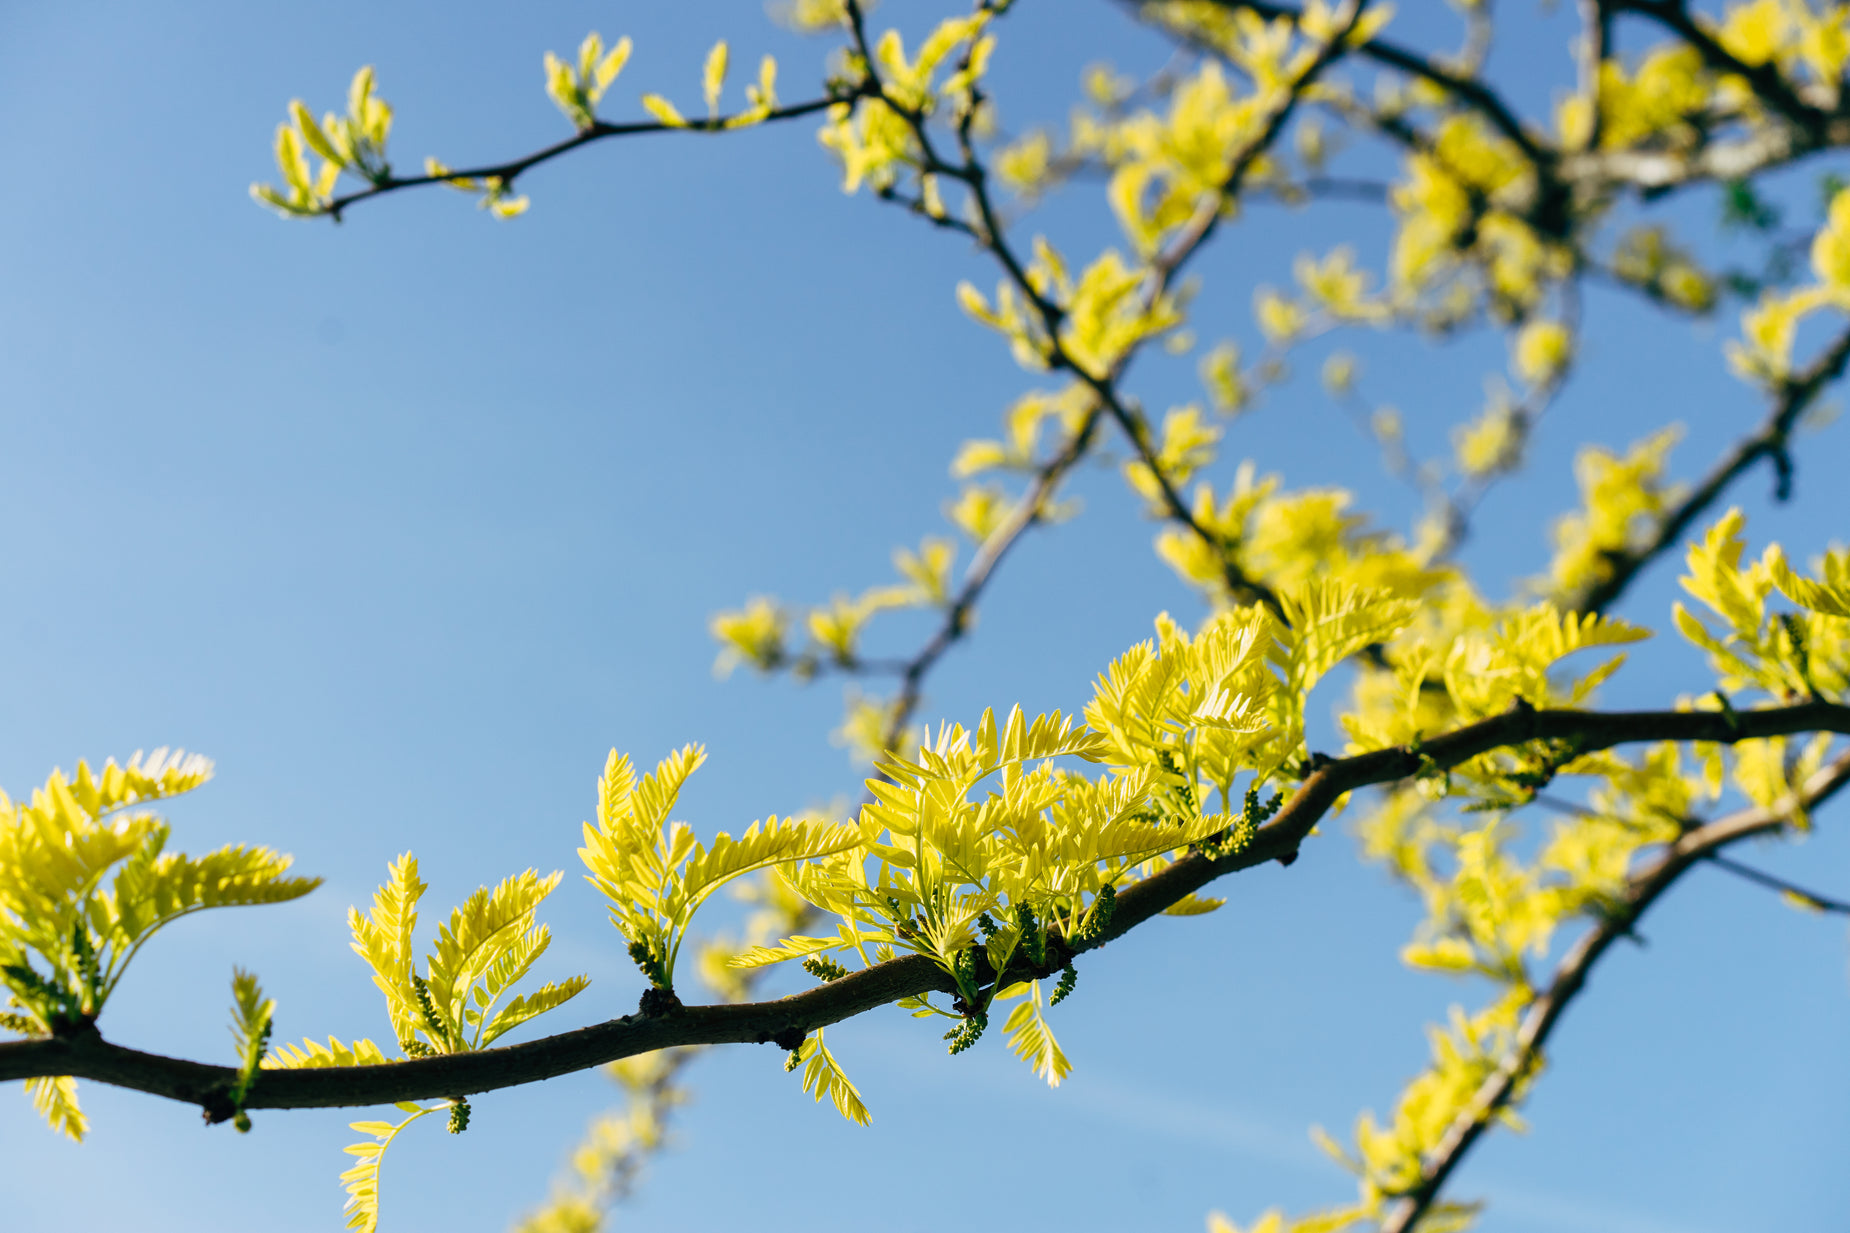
994,856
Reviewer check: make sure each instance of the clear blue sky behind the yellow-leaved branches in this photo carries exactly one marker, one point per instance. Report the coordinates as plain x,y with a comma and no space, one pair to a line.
406,523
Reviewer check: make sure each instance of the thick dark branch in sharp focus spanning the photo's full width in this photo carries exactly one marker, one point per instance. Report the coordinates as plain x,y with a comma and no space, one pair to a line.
88,1056
